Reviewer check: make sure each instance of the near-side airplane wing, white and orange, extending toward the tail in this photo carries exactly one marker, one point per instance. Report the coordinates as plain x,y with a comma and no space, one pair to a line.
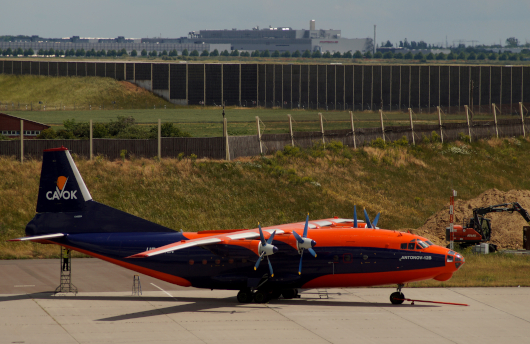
211,240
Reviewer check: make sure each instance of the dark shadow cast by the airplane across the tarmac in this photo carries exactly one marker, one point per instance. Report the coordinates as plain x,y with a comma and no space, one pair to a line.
201,304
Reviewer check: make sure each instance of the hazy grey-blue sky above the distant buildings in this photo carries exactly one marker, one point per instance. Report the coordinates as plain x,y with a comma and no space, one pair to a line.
435,22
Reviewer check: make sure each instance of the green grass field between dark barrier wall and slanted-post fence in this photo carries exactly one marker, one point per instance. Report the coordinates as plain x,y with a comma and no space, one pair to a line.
109,99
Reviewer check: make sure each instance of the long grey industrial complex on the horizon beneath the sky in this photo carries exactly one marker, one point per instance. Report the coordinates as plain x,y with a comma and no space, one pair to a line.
273,38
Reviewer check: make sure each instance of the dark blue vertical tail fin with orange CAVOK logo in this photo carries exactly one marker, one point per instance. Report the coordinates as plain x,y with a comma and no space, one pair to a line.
61,187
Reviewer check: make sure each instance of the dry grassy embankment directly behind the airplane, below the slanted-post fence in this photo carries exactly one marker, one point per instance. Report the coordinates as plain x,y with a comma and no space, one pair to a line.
408,184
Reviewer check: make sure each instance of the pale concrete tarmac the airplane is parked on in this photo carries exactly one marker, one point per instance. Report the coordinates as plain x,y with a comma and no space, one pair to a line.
104,311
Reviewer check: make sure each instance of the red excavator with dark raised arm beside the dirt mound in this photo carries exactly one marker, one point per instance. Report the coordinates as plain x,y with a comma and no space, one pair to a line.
477,229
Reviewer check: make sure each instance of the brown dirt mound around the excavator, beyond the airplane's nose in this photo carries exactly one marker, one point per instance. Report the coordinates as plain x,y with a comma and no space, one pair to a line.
507,228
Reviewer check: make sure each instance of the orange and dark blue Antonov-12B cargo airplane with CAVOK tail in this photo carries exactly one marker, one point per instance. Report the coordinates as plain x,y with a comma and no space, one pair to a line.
260,263
